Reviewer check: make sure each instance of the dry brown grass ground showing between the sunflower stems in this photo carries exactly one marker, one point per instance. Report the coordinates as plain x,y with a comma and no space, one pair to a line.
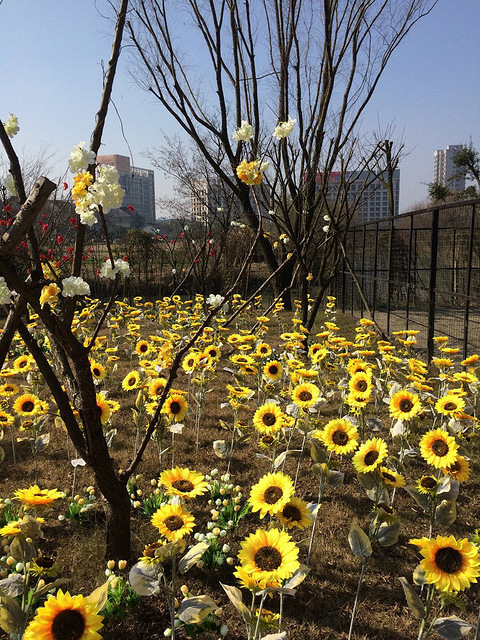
322,607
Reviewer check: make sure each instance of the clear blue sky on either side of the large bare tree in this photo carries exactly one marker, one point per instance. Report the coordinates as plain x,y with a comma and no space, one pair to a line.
52,80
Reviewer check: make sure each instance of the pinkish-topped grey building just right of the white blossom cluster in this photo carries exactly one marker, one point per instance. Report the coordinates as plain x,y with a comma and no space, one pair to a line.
139,186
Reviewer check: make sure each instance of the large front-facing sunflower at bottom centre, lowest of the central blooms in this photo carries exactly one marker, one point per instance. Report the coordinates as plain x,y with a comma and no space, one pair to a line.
269,555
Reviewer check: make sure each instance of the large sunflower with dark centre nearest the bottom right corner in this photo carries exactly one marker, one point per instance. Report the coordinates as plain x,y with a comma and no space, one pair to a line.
449,564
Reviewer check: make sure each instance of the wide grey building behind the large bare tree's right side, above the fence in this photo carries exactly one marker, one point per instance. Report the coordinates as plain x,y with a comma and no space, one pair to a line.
371,191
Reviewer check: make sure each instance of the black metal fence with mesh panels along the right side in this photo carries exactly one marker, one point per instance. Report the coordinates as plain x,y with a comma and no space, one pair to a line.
418,270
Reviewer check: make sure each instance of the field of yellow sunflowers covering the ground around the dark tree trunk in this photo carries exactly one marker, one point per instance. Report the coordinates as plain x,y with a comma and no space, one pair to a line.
327,491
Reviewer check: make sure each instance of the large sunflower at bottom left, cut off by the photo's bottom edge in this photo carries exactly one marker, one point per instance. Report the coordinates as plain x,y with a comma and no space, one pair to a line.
65,617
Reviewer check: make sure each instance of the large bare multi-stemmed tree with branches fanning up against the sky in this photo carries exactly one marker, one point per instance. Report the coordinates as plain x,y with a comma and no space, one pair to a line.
263,62
